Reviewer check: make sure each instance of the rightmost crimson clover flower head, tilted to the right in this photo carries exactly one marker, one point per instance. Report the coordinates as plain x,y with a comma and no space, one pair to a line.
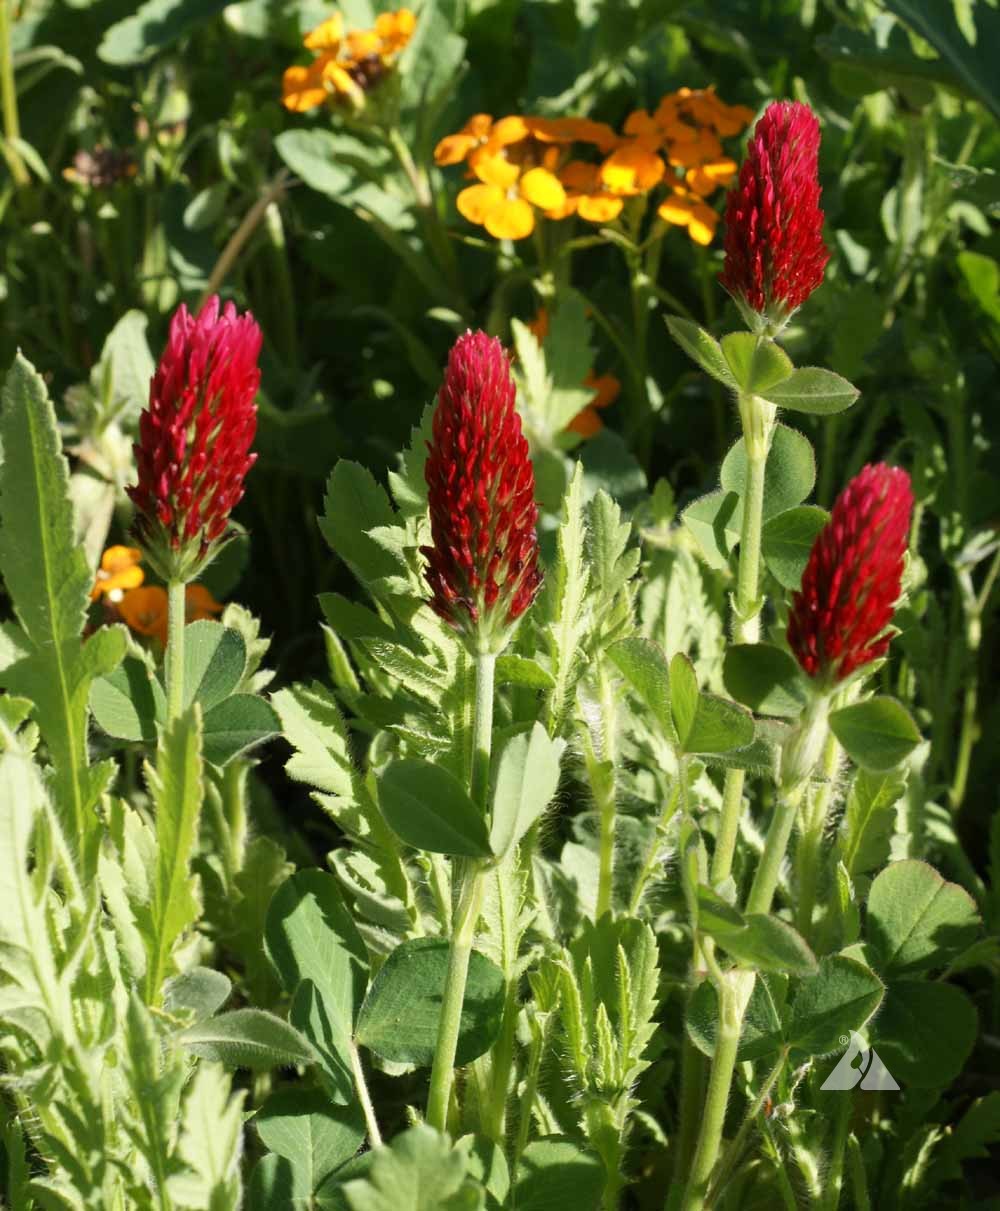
852,582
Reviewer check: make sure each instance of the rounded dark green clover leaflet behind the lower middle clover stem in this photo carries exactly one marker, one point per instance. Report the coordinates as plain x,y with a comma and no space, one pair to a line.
401,1015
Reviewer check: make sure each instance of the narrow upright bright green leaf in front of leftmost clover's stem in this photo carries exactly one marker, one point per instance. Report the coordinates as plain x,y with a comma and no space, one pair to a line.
177,794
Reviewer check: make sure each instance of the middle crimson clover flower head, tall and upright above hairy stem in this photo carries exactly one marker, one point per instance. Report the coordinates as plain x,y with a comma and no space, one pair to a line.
482,564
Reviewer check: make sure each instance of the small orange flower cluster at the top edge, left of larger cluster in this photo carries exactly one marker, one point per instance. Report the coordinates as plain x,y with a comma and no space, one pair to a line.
347,66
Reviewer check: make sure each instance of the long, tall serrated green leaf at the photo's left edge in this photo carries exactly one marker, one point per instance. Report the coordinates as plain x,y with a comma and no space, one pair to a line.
49,582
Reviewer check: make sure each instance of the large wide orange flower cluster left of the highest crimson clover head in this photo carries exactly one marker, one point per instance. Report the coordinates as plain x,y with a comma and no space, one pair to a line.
524,165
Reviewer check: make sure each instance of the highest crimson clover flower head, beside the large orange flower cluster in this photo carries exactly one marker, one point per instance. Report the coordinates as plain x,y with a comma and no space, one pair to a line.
774,228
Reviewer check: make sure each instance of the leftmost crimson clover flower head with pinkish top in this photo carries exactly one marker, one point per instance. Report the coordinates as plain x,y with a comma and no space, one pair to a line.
196,437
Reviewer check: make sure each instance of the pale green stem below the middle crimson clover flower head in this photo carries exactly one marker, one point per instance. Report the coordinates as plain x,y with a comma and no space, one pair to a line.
469,880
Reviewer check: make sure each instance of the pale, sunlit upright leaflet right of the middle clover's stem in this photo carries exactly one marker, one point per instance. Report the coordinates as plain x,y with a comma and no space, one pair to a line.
526,778
